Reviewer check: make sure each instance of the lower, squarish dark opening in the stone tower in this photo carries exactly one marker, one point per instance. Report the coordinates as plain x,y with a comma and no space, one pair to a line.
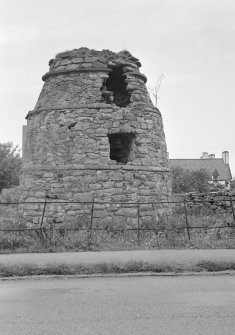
121,145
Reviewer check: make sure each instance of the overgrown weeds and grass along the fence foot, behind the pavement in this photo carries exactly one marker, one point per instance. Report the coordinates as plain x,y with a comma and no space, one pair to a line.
103,240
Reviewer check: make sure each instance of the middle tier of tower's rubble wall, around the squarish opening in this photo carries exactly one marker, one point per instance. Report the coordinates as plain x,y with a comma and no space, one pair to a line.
79,136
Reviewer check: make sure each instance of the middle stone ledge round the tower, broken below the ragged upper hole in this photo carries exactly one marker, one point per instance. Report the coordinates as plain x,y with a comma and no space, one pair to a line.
92,106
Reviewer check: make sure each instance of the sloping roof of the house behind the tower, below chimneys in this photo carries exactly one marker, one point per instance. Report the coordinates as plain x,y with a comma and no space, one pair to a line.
209,165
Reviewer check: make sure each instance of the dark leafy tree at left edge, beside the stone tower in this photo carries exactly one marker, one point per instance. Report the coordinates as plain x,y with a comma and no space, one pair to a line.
10,165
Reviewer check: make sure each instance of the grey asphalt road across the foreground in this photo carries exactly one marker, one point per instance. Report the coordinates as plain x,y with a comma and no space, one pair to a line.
125,305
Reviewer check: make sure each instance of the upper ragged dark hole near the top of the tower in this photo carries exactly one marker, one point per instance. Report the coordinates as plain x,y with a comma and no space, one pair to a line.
114,89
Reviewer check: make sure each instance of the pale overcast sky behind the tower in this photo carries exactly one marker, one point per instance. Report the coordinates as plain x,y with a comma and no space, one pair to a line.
191,43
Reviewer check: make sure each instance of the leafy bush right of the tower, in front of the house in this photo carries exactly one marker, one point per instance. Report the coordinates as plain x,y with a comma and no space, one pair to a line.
184,181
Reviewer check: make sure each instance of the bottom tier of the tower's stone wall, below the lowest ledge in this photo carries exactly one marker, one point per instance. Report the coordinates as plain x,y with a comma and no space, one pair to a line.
116,193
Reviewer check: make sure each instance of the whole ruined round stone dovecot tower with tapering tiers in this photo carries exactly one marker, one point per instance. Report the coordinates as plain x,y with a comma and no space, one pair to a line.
95,134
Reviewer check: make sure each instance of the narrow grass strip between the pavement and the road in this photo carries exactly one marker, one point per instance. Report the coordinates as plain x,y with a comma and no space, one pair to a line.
21,270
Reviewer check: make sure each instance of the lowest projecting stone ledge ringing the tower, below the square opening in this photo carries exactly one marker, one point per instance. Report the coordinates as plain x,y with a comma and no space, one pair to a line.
96,167
